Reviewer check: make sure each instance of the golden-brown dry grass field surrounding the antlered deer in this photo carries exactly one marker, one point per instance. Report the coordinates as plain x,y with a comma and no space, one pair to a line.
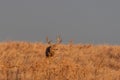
27,61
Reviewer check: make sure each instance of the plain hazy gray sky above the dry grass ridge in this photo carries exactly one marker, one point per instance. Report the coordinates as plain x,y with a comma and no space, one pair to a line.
84,21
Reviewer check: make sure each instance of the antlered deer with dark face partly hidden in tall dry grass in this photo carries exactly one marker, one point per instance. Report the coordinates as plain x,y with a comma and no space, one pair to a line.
52,48
